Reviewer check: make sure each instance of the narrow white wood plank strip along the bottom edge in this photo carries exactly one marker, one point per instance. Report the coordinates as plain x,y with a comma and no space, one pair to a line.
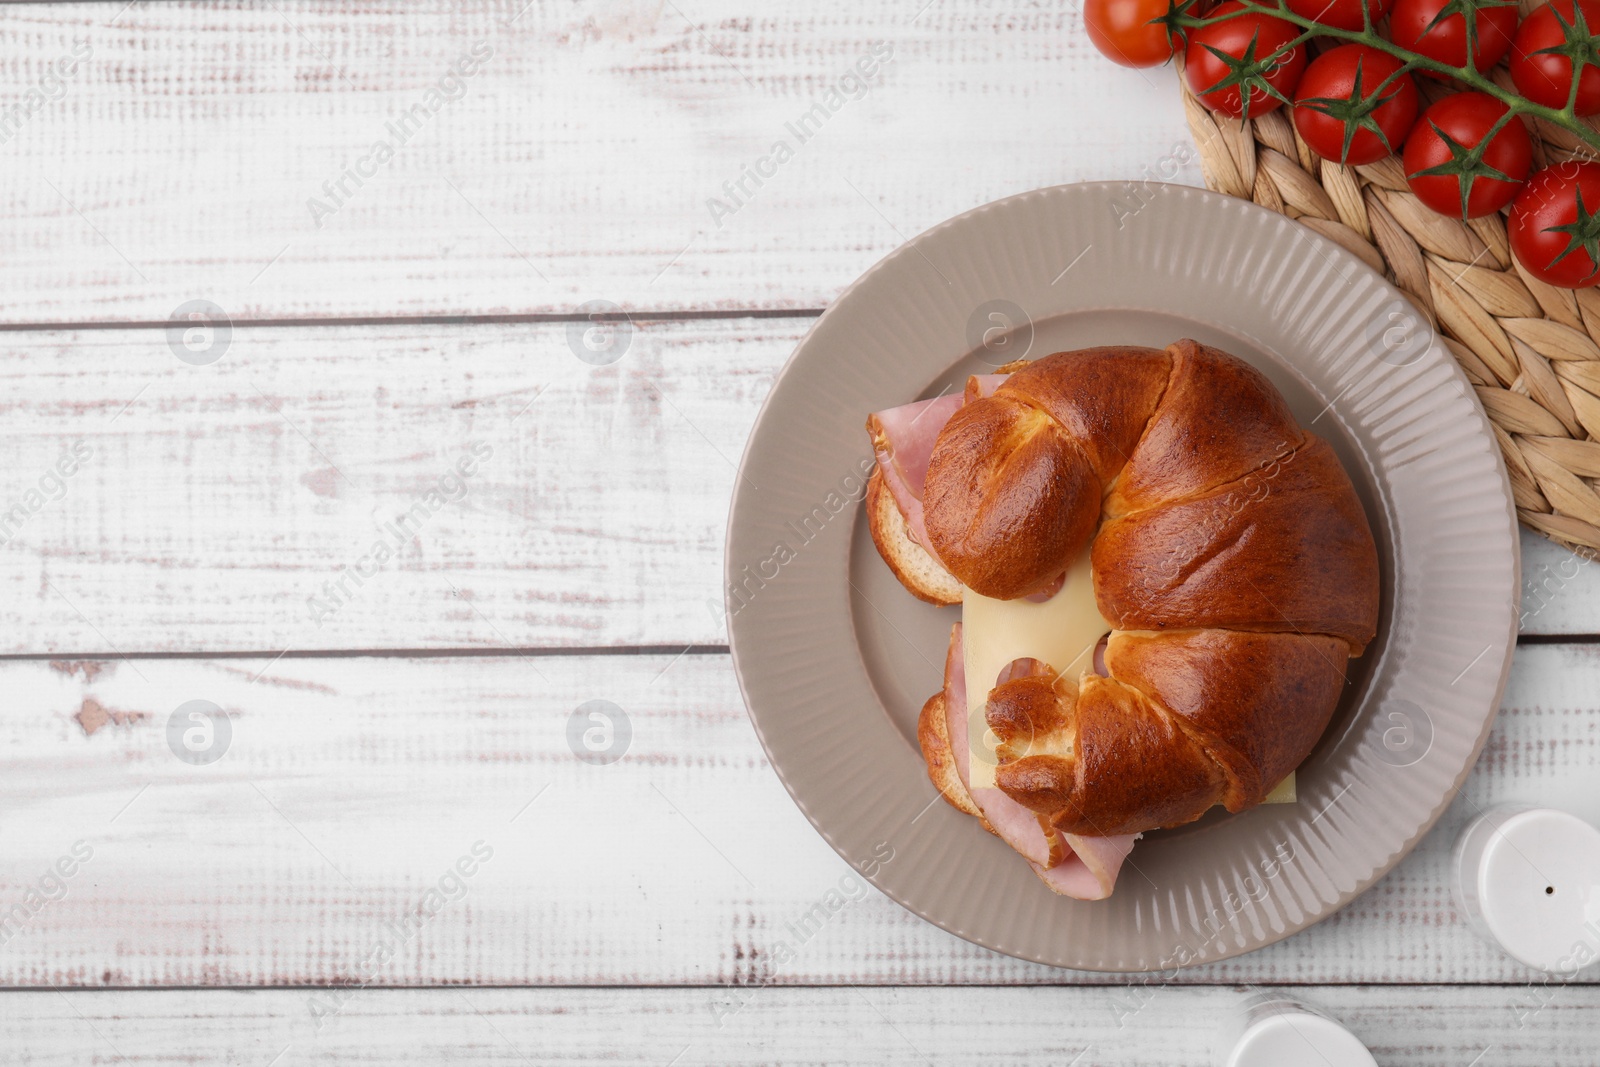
1422,1026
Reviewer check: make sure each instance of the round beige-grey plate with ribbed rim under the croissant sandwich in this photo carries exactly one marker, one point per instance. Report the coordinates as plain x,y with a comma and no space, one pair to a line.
836,658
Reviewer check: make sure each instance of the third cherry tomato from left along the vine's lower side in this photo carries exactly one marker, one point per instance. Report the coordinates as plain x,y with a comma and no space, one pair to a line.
1340,113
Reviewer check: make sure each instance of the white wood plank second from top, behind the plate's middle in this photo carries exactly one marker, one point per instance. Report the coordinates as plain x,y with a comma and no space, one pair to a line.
217,508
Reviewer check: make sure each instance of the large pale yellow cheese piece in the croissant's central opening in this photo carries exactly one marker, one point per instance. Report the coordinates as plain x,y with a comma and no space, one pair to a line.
1062,633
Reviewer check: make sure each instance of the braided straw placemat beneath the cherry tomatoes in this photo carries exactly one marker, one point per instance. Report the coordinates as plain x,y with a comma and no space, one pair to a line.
1532,351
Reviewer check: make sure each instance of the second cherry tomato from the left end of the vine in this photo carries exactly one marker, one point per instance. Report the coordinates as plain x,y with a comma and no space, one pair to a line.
1230,63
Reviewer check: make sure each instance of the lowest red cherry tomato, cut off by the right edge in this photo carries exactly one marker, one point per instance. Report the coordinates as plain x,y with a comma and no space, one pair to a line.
1554,228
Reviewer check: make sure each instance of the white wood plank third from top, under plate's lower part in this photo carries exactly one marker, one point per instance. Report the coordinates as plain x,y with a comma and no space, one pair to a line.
351,788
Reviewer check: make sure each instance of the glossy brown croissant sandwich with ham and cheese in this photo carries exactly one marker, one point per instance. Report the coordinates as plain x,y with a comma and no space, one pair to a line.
1162,577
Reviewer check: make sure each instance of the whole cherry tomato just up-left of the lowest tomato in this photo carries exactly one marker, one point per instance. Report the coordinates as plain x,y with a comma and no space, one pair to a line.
1454,170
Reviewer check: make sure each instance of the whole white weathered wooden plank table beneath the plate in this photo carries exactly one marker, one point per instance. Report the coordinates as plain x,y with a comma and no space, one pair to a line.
398,858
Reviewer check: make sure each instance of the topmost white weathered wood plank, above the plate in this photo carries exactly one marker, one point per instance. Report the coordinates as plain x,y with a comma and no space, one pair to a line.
228,151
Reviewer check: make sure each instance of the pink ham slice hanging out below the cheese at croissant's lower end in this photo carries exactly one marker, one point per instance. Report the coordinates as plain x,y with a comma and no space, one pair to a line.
1081,868
